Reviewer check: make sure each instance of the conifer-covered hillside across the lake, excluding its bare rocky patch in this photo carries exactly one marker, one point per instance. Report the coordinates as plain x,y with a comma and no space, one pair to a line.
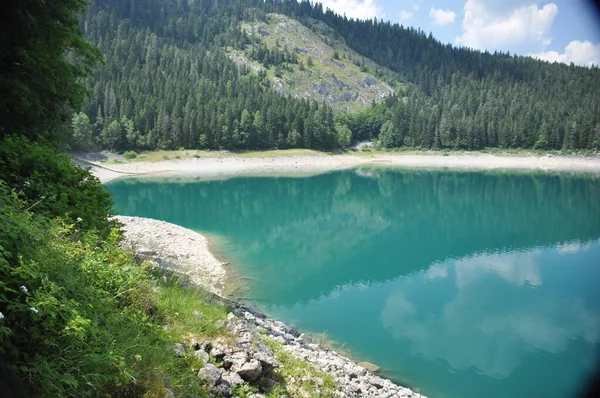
169,82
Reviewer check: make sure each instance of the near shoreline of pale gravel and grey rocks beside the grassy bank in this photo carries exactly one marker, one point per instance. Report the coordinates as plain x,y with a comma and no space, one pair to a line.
168,246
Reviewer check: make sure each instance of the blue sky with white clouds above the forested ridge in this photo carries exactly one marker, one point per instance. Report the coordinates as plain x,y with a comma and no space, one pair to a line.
558,30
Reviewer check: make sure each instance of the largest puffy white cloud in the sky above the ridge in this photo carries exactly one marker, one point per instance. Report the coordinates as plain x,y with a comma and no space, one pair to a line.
524,29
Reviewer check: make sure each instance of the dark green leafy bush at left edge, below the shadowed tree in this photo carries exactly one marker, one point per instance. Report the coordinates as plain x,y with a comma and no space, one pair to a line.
51,185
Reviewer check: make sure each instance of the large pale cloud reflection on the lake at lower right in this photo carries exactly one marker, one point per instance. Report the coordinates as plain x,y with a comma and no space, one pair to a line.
468,333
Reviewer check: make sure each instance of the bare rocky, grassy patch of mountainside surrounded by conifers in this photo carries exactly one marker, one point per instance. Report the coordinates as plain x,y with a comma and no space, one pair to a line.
323,69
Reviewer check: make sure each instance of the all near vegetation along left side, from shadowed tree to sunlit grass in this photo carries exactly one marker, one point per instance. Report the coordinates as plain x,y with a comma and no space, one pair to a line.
78,315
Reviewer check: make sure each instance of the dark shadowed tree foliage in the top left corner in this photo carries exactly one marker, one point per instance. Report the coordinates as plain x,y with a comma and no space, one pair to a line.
43,56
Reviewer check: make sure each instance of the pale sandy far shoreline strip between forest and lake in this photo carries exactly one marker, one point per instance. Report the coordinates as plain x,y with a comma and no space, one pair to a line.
228,166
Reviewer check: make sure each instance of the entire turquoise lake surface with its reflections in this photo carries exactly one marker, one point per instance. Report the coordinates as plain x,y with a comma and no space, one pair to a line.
460,284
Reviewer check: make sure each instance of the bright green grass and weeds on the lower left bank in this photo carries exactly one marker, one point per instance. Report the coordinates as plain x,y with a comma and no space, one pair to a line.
81,318
